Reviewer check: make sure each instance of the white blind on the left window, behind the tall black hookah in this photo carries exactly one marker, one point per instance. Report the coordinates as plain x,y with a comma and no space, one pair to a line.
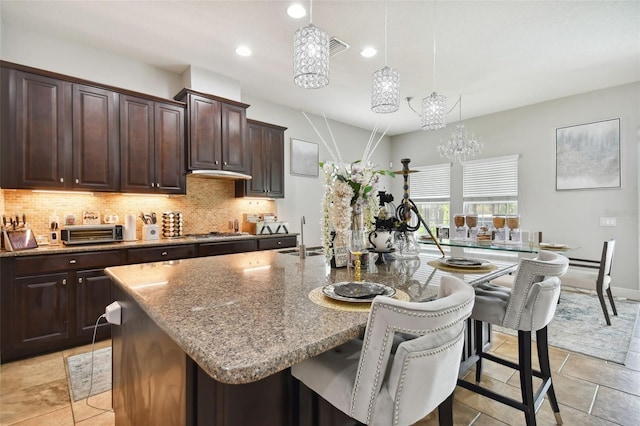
430,182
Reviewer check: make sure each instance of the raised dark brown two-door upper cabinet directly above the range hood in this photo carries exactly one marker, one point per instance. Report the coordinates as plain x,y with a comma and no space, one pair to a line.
216,135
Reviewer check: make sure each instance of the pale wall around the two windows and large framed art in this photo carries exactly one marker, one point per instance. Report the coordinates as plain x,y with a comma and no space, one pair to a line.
570,217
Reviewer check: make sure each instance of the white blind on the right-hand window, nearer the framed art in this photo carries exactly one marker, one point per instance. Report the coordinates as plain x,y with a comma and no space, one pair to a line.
491,177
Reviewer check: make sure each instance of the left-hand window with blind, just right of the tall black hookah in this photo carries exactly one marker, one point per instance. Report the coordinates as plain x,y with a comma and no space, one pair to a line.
429,189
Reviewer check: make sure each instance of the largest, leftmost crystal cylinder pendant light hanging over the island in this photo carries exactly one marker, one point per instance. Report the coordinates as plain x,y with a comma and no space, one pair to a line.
311,56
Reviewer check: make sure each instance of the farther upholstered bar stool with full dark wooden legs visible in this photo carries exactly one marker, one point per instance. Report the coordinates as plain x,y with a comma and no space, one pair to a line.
528,306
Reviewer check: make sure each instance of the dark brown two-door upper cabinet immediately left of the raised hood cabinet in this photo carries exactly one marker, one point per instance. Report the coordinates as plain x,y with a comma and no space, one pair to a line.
152,146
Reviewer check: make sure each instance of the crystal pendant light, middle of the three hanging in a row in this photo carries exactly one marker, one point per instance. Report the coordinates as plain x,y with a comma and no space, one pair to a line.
385,83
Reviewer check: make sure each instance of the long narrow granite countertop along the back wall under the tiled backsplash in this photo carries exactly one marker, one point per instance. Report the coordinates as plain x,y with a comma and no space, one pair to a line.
79,248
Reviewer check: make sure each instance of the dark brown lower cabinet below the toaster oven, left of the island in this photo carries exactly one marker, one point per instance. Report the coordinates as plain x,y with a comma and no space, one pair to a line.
49,303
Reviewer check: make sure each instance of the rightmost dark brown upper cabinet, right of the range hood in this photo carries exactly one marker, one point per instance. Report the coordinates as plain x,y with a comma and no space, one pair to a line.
266,147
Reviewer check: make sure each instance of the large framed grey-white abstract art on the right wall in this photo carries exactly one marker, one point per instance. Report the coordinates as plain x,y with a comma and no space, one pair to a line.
588,156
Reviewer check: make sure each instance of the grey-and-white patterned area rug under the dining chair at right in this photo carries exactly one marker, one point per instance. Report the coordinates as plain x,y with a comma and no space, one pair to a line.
579,326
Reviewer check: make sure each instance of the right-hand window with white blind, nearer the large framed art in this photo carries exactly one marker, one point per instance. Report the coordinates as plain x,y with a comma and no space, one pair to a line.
490,187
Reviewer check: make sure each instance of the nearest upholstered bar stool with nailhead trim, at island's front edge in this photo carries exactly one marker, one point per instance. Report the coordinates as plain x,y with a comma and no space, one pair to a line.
363,379
